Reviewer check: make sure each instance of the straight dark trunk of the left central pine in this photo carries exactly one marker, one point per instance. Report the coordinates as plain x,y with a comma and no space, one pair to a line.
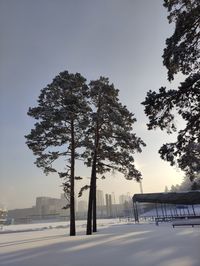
72,200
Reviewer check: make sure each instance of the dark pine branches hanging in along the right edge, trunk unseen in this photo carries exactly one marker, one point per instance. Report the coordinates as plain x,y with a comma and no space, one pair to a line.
182,54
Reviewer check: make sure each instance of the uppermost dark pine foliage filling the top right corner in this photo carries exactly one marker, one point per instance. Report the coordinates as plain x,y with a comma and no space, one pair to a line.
182,52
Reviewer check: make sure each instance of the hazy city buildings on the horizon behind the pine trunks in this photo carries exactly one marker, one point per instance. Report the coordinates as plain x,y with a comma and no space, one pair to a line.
48,208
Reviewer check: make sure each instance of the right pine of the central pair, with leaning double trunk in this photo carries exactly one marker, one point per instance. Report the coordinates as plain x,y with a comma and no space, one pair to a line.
110,142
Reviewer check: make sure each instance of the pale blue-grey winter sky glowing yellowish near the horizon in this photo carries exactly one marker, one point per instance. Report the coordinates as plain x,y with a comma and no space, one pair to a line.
119,39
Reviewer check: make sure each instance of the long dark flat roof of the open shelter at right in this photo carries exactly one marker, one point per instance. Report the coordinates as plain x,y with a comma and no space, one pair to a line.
186,198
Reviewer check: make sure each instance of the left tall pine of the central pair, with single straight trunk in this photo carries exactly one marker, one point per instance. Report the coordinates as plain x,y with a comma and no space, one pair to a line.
62,120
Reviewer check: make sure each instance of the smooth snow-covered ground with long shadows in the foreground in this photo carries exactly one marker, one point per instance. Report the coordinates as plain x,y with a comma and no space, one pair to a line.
116,243
